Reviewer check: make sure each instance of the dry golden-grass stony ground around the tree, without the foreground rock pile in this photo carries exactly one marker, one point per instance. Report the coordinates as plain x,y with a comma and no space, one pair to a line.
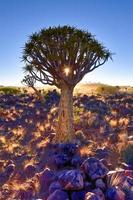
103,126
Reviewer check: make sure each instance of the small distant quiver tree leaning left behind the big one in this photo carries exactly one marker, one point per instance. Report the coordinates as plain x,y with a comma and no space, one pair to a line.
30,81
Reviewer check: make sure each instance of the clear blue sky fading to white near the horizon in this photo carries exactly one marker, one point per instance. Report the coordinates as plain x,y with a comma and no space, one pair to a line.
110,21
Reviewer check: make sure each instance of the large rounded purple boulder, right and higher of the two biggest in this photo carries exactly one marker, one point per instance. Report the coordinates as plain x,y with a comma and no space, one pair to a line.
94,168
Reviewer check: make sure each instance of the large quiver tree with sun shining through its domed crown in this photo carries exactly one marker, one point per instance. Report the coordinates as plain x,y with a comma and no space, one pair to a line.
61,56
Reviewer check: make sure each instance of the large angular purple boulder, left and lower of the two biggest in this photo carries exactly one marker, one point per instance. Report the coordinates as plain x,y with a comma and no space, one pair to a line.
71,180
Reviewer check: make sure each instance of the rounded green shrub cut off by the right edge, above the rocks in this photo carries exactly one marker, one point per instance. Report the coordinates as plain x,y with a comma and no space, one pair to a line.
127,154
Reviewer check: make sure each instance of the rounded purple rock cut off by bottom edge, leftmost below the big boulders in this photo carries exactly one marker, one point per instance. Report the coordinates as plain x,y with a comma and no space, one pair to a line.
58,195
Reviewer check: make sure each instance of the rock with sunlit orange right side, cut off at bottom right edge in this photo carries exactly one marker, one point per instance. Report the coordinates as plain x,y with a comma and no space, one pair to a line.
114,193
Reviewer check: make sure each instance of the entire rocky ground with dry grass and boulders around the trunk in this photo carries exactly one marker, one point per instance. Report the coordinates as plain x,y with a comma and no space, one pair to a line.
95,167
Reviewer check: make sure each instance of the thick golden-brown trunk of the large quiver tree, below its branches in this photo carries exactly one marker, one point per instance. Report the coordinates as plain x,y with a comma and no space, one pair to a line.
65,129
